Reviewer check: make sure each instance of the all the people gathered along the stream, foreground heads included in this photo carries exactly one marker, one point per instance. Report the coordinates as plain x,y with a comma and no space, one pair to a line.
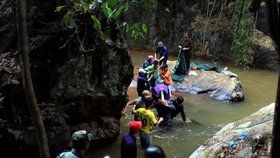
153,88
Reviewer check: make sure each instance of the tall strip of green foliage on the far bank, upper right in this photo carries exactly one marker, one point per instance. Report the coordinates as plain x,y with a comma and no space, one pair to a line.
242,36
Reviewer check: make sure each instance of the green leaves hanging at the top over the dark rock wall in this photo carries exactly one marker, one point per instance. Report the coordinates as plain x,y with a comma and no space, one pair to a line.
111,9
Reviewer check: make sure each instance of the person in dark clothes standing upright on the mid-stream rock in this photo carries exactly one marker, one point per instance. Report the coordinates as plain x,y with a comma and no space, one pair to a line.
185,48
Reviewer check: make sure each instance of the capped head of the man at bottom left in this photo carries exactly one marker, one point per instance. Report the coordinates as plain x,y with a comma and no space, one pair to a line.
81,139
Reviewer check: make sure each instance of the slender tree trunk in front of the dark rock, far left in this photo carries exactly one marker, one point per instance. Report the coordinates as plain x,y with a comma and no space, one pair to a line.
35,112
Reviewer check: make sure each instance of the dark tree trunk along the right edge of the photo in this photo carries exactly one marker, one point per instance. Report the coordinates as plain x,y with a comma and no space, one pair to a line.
273,7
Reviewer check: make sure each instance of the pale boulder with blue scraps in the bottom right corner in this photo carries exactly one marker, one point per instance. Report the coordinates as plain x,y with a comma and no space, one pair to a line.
243,138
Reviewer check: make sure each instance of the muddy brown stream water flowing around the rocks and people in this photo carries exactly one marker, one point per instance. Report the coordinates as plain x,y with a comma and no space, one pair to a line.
260,90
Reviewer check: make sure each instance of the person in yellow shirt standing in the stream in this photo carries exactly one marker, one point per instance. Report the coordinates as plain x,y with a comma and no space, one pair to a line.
148,120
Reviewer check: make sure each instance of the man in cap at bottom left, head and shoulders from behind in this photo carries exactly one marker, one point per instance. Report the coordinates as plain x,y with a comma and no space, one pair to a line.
80,144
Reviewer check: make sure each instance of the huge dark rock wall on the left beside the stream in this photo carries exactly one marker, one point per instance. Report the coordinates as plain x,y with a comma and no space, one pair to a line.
80,81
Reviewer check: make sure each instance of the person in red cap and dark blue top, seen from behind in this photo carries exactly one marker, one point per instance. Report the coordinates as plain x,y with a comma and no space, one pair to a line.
128,143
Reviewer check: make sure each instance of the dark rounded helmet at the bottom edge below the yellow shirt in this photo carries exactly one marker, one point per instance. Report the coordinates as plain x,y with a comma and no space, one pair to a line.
154,151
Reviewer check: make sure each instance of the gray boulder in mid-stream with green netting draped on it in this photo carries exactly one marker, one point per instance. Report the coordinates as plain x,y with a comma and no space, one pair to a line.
220,86
